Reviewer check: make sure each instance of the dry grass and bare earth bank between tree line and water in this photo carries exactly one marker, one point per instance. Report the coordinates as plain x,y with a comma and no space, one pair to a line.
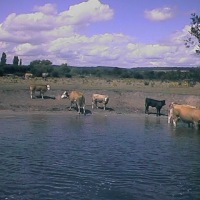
126,95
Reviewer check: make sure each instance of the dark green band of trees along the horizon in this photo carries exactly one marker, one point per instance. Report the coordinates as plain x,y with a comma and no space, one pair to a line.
38,67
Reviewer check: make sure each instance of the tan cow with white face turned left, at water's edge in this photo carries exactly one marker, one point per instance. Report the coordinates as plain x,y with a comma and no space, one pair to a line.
75,98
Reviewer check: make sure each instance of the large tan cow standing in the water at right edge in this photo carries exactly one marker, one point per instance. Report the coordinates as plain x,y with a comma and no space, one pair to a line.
187,113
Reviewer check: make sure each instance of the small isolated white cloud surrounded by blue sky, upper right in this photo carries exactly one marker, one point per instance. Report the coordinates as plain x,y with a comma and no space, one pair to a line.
159,14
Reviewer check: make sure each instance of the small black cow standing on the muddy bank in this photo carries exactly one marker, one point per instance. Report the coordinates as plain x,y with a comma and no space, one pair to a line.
154,103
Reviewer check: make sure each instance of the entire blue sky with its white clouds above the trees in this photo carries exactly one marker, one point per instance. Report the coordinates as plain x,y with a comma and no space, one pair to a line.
117,33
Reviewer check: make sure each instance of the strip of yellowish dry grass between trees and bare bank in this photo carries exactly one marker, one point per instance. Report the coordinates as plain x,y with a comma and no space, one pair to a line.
102,84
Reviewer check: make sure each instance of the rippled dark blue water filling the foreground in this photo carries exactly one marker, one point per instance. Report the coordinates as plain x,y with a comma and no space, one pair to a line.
113,157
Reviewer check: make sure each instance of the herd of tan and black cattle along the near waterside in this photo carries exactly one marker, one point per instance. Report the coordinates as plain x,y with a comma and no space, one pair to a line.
177,112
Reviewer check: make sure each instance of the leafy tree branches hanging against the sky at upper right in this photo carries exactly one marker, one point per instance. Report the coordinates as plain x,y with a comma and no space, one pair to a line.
195,32
